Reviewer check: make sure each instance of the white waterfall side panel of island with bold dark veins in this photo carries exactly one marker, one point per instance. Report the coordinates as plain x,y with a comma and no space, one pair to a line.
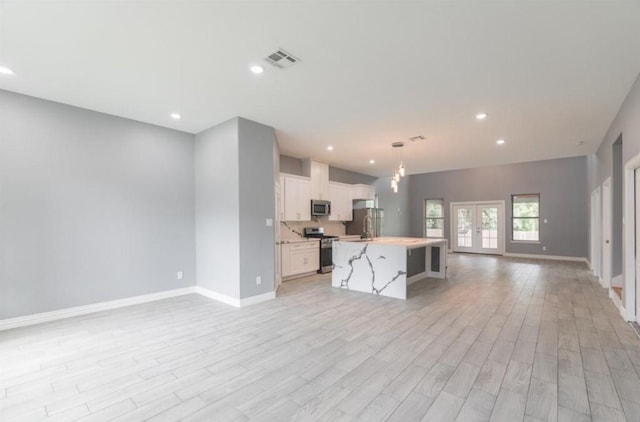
370,268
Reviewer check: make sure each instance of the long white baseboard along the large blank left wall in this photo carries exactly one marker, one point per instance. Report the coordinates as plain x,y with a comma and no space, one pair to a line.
9,323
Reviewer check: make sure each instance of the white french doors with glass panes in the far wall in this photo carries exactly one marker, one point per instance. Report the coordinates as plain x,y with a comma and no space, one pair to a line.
478,227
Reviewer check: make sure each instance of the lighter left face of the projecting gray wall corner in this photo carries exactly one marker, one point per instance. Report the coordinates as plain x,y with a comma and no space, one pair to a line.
217,209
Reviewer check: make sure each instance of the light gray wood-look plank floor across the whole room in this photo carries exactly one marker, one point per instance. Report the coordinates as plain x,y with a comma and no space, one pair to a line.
501,339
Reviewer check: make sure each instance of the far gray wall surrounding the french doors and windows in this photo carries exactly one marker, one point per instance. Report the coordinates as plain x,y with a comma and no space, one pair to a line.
561,183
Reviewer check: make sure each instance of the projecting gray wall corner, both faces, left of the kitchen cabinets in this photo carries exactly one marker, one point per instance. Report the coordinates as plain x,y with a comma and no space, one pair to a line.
235,195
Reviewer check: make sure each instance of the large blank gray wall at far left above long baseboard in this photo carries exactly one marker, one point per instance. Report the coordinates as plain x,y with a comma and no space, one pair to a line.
92,207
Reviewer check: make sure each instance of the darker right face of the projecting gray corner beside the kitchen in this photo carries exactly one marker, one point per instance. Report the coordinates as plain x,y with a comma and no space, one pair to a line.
257,203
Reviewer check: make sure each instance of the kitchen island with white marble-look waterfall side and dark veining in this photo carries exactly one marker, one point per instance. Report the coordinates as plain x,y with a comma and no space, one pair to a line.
386,265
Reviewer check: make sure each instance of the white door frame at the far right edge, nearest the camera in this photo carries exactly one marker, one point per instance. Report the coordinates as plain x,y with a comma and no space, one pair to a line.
629,237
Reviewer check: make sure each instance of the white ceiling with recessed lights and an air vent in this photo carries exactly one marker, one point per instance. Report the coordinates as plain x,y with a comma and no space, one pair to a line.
550,74
